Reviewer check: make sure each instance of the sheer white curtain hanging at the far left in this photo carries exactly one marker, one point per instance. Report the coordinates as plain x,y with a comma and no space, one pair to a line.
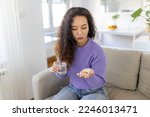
12,72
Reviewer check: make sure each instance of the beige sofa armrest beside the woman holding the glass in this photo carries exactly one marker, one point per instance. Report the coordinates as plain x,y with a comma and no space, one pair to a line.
46,84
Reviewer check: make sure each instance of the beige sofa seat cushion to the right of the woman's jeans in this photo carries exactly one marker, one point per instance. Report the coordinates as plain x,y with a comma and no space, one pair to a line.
121,94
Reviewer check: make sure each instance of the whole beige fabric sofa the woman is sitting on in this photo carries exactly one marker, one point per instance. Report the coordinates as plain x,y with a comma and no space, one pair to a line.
127,77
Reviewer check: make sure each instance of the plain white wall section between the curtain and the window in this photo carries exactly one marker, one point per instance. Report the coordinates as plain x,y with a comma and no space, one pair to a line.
33,40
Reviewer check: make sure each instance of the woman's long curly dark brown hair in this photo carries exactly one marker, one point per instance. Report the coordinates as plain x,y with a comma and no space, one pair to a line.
66,45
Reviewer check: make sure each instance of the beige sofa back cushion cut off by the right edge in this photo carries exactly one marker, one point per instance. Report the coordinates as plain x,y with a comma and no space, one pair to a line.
144,76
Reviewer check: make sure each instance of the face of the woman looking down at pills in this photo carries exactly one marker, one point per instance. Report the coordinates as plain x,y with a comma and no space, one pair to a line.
80,29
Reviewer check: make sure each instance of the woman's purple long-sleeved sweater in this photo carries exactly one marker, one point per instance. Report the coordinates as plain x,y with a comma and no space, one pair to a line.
88,56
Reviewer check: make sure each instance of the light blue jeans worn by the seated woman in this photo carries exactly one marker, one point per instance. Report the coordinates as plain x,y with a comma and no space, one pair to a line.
71,93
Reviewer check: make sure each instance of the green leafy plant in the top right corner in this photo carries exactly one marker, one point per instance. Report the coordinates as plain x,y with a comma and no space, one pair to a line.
143,12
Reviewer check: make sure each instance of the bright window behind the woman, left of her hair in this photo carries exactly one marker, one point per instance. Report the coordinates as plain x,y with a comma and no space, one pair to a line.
53,12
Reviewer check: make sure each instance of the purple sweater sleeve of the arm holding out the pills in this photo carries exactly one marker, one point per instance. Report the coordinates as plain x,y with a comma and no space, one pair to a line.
98,64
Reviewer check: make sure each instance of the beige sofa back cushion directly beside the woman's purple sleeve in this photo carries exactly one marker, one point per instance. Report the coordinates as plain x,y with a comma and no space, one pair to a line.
122,67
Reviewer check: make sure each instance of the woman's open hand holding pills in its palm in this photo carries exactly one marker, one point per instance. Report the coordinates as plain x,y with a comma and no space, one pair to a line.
86,73
